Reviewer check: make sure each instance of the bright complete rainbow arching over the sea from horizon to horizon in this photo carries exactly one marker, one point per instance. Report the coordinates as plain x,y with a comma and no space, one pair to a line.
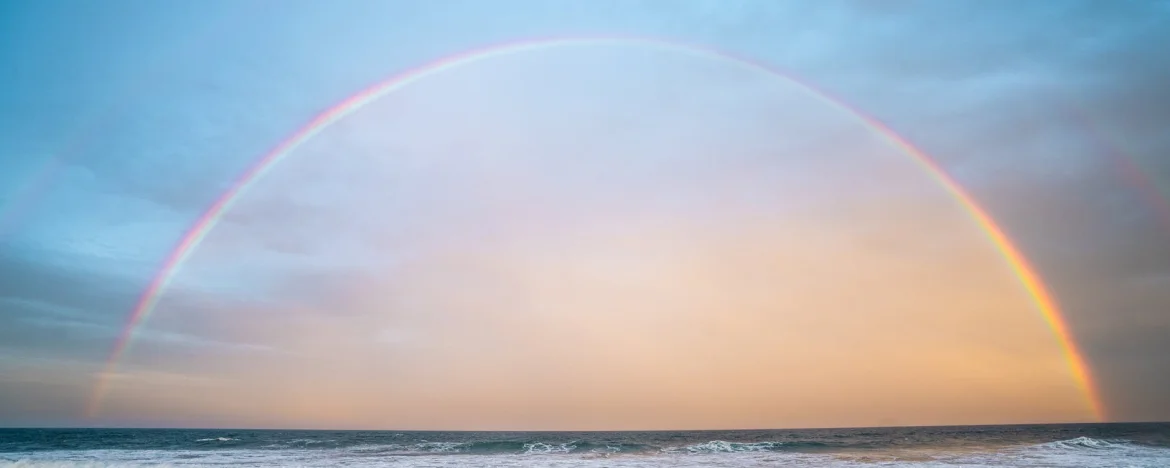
1031,283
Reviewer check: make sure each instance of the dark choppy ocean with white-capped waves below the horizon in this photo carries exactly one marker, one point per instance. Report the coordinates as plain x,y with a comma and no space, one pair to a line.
1098,445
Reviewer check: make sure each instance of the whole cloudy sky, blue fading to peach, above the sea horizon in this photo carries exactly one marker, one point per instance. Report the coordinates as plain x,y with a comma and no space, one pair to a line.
594,237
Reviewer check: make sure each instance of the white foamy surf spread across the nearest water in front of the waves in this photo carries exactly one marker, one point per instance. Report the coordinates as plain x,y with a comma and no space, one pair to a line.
1080,452
